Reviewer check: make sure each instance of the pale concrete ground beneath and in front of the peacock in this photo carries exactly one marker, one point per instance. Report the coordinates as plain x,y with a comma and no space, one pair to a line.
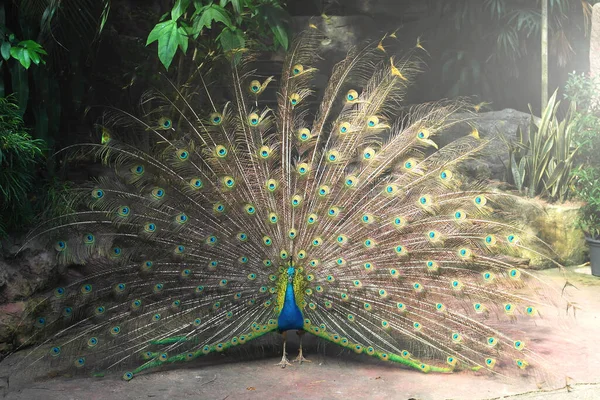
573,345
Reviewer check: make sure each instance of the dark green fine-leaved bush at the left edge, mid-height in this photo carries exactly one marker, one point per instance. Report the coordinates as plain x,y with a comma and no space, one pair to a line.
19,154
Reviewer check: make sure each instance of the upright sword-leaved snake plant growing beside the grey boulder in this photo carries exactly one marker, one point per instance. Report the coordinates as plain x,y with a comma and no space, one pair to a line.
543,157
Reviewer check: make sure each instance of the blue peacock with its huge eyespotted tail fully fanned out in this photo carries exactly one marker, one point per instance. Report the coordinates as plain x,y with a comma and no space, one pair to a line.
231,219
